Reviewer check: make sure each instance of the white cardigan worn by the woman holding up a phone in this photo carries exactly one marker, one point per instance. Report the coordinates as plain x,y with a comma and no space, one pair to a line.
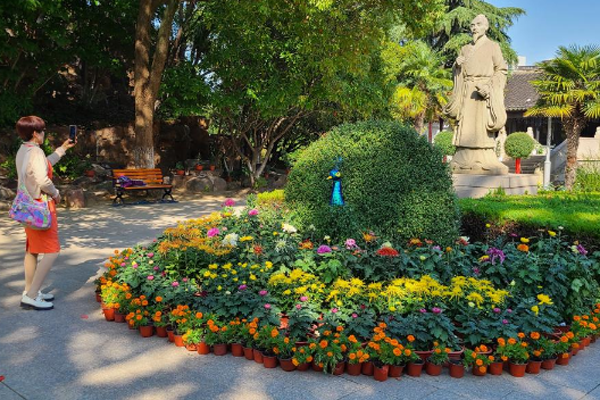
36,176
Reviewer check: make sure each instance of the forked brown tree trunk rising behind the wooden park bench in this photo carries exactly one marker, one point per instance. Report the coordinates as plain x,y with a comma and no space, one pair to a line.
148,78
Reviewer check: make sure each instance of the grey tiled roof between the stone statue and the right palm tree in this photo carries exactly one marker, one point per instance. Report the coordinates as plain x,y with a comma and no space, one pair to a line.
520,94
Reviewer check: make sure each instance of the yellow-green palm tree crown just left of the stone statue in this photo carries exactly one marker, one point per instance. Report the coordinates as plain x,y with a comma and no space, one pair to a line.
422,82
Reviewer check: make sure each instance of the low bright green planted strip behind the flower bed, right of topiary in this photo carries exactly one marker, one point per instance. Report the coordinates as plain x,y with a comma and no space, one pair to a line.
577,213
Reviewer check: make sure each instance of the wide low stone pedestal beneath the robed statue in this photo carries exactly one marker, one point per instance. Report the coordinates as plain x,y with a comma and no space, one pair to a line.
476,186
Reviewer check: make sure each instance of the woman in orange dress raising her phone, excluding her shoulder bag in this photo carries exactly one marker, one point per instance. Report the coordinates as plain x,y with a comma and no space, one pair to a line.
36,169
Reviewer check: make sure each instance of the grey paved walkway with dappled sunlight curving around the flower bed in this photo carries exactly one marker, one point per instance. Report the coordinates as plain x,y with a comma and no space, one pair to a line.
72,353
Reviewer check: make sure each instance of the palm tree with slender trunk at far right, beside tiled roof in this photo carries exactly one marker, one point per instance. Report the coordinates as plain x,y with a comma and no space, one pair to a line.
569,89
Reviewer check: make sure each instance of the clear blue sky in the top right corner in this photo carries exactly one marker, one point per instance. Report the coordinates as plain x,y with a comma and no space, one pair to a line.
549,24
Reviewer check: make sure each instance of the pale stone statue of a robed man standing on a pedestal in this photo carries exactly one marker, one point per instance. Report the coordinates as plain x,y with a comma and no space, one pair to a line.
477,103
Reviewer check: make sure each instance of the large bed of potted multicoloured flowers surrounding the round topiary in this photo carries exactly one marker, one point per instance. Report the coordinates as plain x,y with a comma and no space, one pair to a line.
251,278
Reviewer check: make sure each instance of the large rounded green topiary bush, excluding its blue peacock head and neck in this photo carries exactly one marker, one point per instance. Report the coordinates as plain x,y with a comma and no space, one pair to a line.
393,182
